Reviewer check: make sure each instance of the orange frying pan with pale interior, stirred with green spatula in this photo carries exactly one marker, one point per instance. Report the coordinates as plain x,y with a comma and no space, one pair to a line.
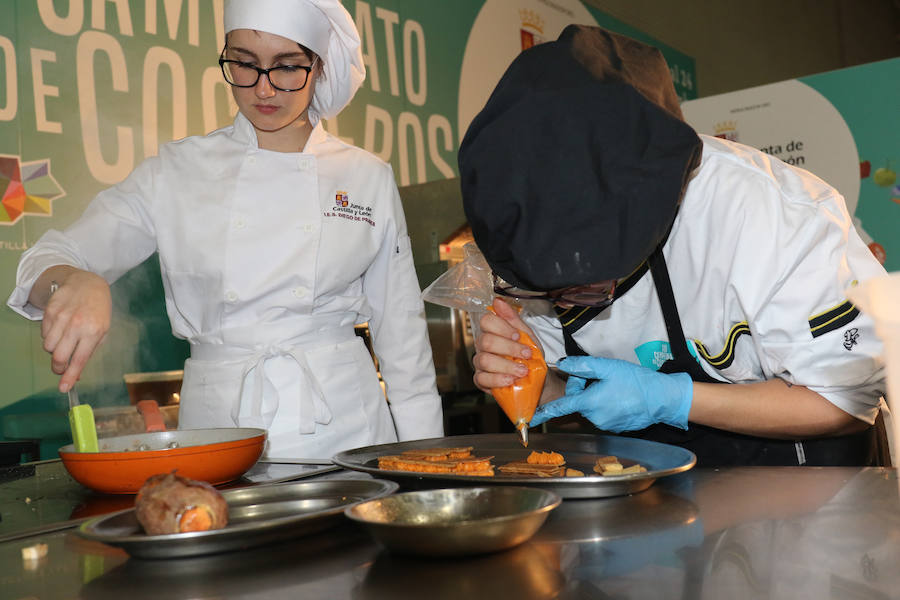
125,462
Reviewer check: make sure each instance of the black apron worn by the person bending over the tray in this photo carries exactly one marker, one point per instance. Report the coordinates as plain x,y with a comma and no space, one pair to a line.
715,447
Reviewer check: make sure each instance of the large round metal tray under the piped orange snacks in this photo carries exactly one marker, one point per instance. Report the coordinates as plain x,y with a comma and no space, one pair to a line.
580,451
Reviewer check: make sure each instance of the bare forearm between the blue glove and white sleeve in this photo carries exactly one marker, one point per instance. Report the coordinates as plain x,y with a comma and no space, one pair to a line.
772,409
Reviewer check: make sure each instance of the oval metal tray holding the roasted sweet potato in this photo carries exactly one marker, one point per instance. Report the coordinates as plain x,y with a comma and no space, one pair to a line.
256,515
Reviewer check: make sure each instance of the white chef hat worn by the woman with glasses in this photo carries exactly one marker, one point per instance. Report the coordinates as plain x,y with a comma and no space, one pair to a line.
323,26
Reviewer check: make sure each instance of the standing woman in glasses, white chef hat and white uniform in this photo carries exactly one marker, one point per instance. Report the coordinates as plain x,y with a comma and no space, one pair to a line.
275,238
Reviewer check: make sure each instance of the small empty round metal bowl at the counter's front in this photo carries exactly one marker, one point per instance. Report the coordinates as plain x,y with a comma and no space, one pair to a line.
457,521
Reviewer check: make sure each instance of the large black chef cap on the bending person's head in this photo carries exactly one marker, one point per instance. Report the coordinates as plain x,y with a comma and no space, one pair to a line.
573,171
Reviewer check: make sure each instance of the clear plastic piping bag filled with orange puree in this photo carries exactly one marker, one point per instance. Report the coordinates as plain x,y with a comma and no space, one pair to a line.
468,286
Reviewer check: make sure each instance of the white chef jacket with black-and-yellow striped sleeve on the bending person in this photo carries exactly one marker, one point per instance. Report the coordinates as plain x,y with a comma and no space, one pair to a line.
759,256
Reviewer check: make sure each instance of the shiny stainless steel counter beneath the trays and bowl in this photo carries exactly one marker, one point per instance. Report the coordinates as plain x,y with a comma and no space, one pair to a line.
754,532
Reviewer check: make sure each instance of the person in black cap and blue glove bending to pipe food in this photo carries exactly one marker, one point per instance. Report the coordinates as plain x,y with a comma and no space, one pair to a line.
671,262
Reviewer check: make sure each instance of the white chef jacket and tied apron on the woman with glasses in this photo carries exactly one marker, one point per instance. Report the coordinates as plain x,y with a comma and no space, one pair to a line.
268,260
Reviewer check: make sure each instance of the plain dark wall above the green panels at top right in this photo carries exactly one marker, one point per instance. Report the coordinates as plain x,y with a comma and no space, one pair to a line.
738,44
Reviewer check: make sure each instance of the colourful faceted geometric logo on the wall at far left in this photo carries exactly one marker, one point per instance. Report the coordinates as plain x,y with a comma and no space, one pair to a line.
26,189
